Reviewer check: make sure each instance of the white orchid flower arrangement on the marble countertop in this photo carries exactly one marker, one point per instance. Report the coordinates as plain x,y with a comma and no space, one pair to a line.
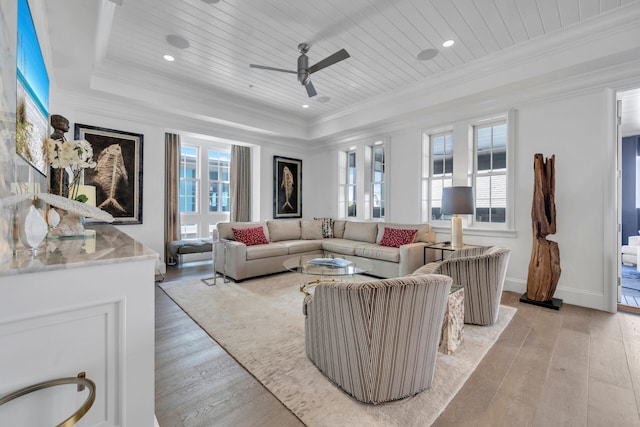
72,157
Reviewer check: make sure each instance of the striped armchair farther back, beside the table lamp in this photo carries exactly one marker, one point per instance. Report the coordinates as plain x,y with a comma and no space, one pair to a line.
481,270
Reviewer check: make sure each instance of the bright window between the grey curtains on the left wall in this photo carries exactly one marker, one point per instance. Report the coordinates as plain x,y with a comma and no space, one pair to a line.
204,189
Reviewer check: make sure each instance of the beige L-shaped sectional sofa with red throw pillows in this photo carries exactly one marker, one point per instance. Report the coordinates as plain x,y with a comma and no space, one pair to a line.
351,240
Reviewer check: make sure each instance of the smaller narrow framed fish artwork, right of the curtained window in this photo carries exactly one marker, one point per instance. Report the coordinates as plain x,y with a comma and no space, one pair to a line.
287,187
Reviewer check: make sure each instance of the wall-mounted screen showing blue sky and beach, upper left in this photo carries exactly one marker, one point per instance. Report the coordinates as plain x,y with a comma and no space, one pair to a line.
32,111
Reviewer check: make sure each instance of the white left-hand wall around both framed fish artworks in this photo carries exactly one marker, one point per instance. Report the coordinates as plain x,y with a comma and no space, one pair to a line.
103,111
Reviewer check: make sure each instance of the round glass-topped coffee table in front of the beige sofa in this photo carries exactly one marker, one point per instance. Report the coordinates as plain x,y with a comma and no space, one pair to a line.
325,268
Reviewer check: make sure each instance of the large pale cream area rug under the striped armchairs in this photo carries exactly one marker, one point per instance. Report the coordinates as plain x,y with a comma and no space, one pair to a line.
260,323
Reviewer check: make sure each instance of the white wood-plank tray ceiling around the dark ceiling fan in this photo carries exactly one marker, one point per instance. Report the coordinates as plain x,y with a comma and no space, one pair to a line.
383,37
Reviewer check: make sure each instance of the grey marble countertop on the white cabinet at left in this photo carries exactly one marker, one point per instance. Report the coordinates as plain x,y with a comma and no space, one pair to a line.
108,246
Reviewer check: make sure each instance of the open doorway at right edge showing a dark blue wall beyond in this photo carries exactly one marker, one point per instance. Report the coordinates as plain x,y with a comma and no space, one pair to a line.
629,195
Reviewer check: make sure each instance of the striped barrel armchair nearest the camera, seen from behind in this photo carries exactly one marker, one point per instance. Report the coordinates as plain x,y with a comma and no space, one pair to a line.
377,340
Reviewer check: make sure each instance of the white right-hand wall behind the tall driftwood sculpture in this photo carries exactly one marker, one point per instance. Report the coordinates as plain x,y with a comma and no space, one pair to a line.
576,128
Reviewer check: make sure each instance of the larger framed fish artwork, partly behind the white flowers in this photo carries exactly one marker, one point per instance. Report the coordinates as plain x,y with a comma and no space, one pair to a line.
118,172
